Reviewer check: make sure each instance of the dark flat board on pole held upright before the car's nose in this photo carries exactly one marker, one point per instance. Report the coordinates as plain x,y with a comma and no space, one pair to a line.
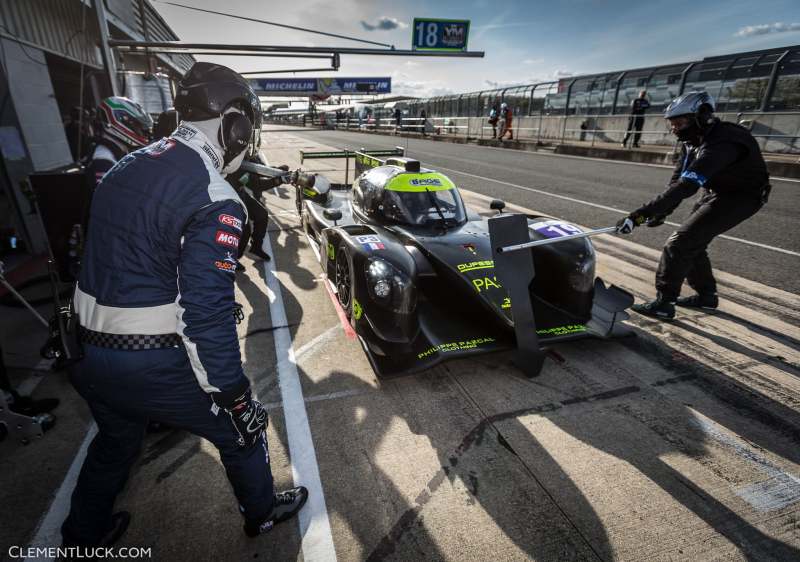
516,272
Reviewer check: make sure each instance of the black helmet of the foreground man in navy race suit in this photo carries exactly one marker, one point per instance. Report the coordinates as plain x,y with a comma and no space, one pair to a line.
208,89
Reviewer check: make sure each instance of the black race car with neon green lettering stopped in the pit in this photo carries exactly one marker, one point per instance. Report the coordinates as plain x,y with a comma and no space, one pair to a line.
414,269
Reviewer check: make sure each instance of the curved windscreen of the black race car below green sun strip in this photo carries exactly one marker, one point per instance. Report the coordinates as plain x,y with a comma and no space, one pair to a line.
427,207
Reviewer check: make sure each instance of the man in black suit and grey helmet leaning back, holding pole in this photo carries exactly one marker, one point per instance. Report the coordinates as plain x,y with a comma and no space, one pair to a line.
722,160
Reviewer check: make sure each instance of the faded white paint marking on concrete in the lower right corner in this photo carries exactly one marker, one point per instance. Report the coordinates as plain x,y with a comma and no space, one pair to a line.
780,490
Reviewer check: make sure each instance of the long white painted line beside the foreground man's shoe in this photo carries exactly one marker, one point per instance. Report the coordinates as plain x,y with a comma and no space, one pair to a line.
315,527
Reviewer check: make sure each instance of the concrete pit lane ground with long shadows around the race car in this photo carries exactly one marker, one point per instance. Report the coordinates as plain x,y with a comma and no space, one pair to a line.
679,444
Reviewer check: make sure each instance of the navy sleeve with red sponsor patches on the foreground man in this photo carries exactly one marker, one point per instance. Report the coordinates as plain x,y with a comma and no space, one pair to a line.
206,274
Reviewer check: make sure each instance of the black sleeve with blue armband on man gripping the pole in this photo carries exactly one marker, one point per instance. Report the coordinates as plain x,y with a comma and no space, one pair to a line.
709,161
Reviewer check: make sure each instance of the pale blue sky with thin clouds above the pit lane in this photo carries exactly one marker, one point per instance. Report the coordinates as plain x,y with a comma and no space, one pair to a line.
524,41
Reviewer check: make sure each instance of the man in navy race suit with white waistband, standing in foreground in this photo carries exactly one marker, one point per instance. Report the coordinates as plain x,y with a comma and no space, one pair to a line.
155,300
